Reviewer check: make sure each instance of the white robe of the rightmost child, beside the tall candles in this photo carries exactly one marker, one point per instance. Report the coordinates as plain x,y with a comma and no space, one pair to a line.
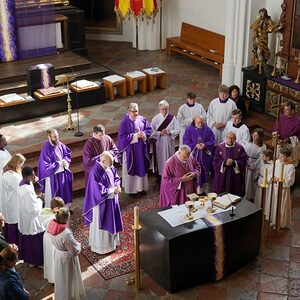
286,205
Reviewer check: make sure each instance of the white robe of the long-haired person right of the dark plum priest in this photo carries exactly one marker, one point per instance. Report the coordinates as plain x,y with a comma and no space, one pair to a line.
254,151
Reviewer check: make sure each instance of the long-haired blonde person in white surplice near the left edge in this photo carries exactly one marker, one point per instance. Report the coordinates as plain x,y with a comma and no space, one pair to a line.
10,205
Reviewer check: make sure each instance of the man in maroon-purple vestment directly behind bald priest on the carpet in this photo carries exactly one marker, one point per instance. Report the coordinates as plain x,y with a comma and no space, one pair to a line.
94,146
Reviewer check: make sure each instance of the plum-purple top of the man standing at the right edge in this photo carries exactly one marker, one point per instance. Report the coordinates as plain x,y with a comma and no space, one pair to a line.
288,126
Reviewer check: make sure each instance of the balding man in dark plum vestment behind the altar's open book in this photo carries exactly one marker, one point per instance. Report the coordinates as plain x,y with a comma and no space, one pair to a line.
230,162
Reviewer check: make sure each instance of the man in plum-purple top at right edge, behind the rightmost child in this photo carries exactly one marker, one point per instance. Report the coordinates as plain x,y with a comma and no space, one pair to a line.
288,130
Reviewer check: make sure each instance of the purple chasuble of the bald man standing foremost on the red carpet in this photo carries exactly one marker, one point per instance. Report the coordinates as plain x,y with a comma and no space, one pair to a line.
97,192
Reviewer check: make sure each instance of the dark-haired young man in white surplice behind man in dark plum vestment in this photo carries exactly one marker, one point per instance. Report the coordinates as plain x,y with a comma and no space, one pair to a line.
238,127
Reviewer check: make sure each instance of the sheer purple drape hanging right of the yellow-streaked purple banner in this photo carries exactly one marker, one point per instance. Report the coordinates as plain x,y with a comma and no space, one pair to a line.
36,28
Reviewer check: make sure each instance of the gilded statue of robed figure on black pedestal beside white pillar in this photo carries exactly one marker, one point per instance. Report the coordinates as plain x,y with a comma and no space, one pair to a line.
261,28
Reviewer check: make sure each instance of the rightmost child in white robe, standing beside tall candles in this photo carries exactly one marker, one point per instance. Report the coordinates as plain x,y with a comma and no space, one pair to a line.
288,176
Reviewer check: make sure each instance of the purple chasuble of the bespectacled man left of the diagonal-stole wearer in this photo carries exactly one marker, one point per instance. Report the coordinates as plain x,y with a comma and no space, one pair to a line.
137,154
